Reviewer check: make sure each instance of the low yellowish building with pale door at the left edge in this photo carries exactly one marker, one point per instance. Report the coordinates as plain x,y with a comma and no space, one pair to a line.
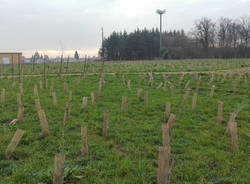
11,57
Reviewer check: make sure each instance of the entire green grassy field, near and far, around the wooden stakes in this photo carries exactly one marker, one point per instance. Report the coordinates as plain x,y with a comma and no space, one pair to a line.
200,152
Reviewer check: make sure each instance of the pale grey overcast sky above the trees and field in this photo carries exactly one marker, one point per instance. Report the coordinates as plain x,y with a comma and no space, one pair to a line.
30,25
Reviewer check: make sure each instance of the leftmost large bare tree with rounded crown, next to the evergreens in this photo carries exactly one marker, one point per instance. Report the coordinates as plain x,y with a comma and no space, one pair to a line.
205,32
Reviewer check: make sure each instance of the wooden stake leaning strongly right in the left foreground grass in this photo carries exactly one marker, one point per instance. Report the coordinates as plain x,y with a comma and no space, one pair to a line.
13,144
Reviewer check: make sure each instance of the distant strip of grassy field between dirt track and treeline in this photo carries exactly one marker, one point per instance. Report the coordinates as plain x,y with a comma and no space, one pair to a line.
129,66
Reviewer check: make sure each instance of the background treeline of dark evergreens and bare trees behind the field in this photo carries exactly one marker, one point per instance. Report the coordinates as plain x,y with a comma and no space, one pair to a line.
226,38
